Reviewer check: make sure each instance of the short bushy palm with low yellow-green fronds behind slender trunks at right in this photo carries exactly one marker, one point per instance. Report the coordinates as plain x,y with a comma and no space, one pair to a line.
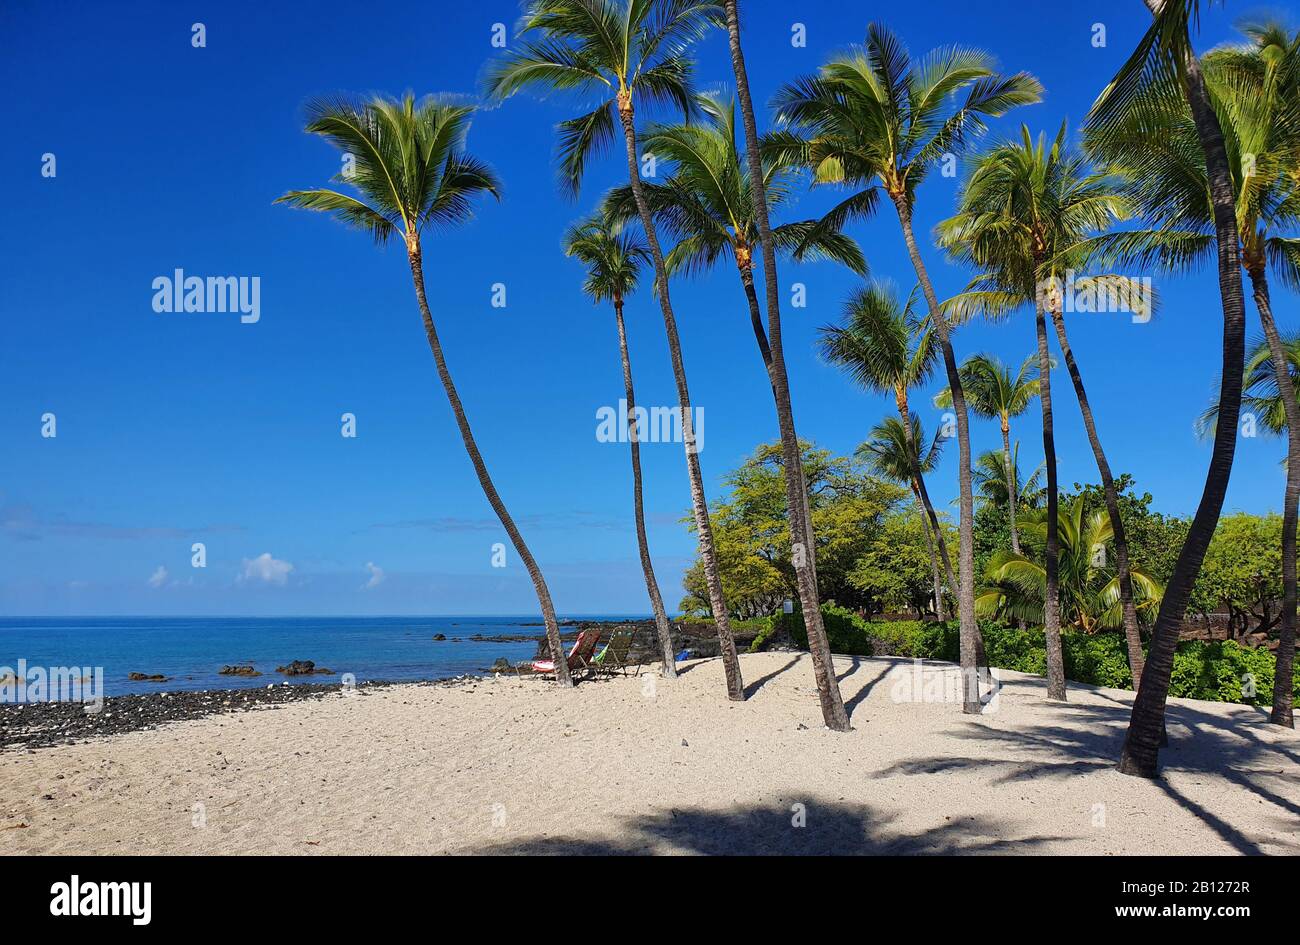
1016,584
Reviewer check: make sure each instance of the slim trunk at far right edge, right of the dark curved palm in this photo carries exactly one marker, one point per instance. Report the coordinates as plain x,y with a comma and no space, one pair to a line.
1284,684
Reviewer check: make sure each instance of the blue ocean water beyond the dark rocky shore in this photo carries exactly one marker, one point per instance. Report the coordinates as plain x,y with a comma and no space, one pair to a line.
193,651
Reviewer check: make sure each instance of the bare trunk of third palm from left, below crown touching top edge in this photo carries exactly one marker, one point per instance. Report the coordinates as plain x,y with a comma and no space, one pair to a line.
708,553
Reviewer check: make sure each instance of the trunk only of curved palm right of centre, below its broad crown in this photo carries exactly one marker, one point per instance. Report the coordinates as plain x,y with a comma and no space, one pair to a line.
970,635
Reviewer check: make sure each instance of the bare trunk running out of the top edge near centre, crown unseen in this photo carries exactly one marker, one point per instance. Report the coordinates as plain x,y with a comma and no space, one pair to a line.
796,491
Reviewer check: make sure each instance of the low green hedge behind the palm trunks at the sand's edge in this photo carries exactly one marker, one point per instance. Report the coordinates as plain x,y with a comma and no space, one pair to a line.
1215,671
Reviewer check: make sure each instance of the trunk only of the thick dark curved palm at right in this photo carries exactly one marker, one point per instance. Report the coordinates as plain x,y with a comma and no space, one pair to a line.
1141,755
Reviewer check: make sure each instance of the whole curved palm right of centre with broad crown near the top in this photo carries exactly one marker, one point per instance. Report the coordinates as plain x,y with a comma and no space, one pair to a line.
876,118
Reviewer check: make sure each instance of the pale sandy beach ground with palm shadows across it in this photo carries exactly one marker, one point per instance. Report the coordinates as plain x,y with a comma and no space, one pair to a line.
647,766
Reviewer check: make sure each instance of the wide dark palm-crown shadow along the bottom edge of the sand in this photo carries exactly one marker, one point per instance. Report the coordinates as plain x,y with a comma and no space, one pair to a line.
831,829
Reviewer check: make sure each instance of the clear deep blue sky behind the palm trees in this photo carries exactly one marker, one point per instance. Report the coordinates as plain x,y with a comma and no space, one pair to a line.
177,428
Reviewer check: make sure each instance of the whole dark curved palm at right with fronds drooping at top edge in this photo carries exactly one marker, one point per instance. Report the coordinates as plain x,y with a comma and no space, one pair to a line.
1165,62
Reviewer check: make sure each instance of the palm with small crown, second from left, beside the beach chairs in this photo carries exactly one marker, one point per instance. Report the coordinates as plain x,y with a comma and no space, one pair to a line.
614,265
